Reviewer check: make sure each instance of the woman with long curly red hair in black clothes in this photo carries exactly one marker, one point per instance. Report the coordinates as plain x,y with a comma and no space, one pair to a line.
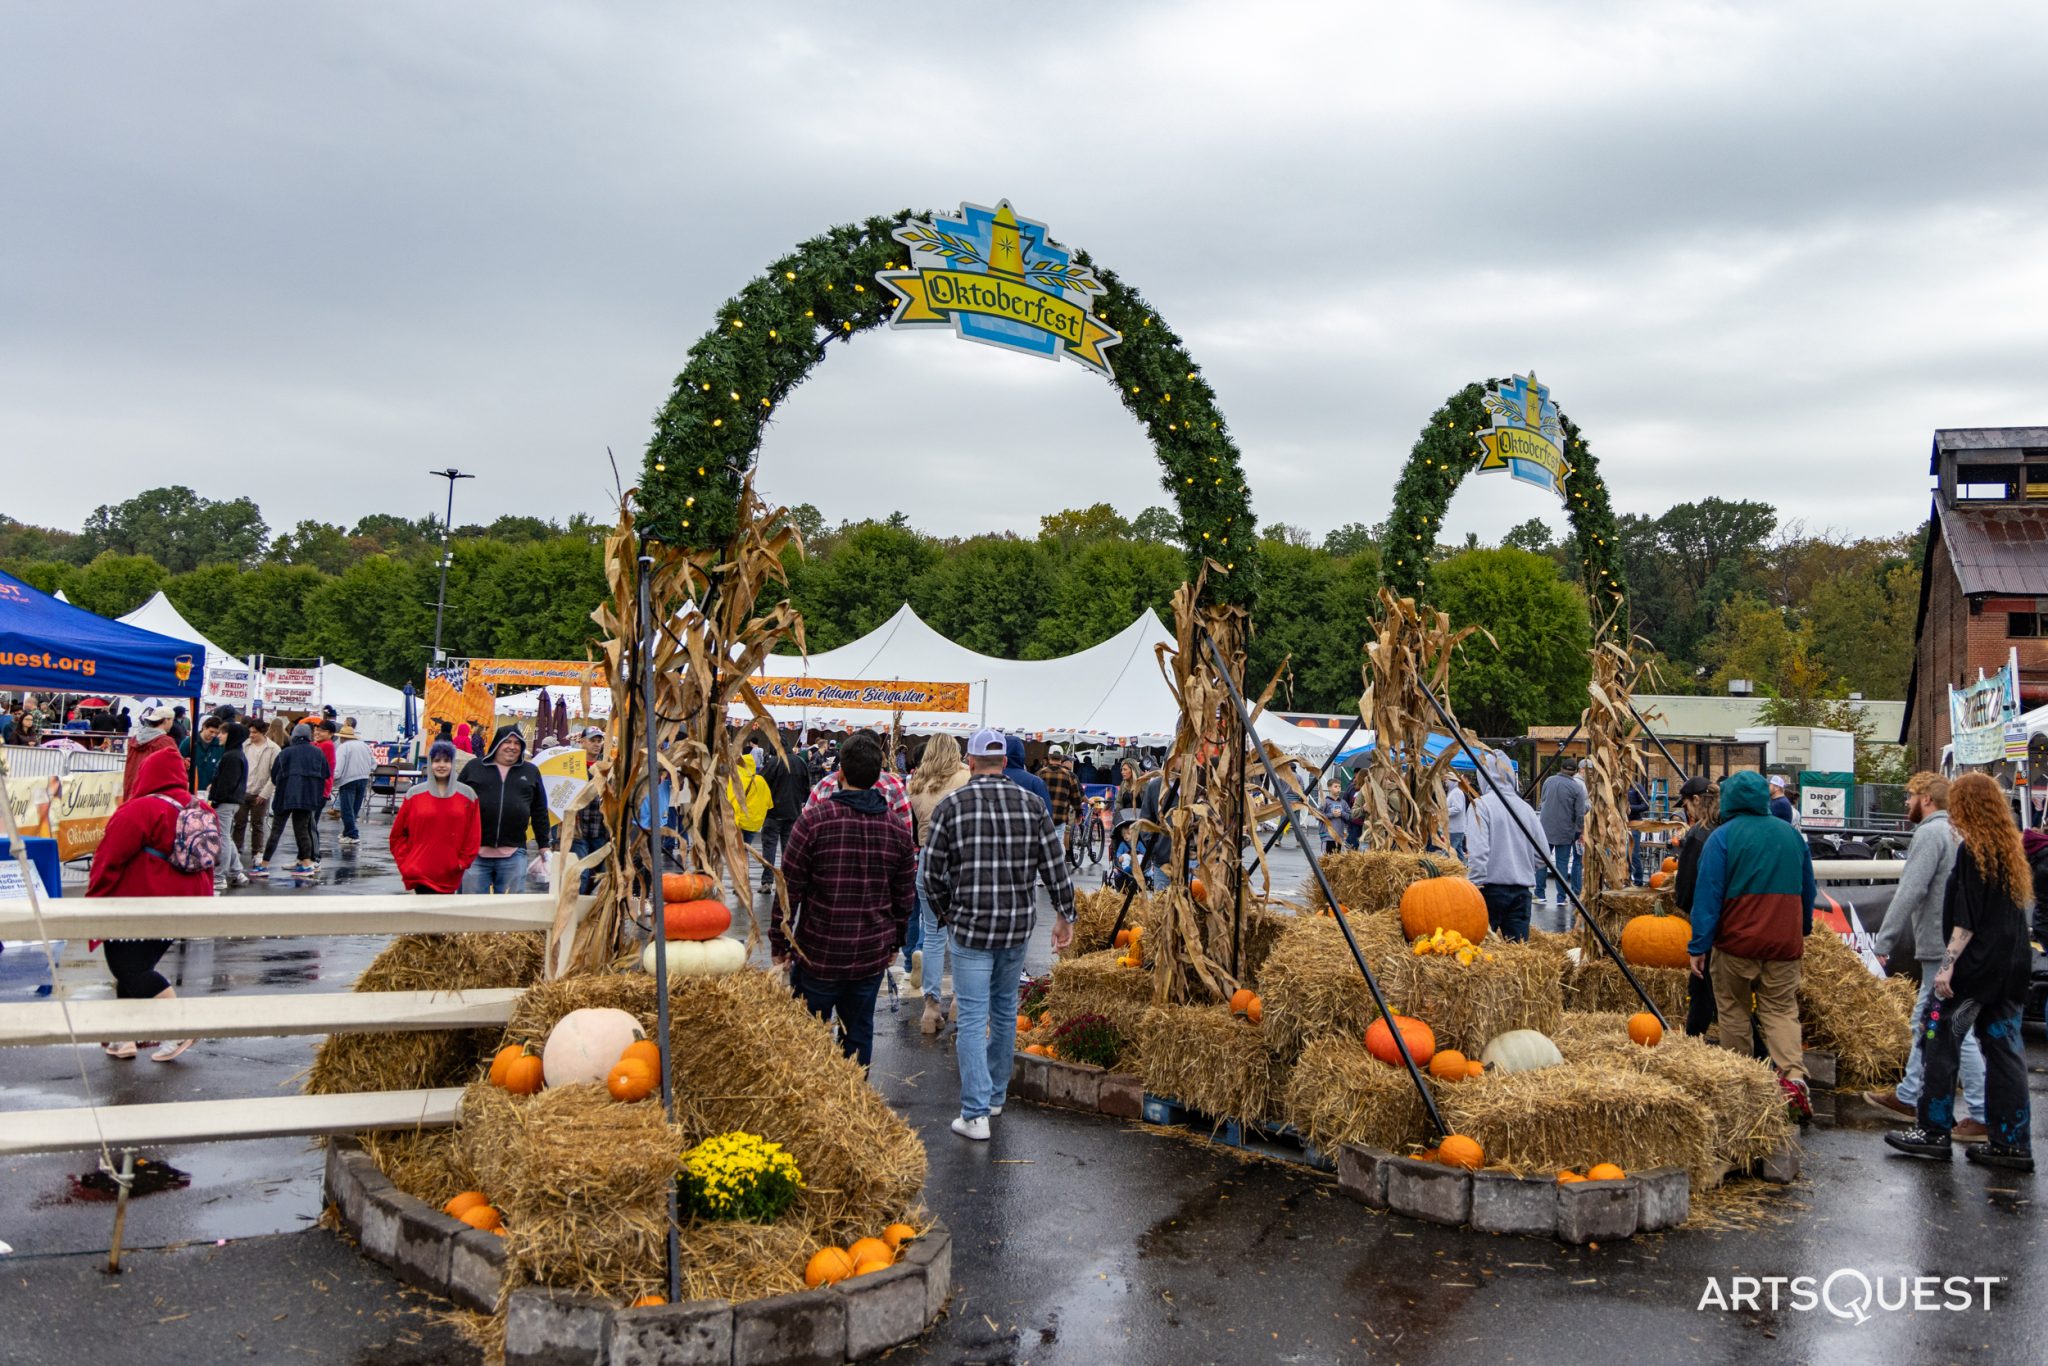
1981,984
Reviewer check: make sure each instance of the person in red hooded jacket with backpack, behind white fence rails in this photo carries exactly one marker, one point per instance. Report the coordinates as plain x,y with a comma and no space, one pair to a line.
134,861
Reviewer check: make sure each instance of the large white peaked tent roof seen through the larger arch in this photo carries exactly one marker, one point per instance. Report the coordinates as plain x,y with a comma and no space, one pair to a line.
1109,693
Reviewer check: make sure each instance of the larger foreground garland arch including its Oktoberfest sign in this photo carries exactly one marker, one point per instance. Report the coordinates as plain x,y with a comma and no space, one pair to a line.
988,275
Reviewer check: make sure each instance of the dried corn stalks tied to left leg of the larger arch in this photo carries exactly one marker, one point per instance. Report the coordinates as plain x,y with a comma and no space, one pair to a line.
706,646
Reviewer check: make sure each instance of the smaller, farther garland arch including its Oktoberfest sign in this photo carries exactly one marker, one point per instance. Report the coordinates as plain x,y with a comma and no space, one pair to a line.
1506,427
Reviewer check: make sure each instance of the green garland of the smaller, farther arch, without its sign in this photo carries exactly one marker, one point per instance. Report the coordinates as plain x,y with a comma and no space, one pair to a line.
1445,454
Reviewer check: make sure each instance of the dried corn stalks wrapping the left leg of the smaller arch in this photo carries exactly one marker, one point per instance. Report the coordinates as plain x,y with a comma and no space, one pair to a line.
1404,789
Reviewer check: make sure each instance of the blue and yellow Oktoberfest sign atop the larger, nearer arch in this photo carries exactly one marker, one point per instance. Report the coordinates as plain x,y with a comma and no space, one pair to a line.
1000,280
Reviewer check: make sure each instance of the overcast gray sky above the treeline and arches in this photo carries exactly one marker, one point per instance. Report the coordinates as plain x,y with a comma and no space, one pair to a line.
306,253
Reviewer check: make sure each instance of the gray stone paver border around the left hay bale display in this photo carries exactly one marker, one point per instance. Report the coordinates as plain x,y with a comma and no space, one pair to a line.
849,1322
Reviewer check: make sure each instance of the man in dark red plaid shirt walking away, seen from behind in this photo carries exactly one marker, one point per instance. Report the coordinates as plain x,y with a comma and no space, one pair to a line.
851,869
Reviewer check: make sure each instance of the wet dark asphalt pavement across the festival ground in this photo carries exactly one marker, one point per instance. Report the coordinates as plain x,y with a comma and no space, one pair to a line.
1076,1238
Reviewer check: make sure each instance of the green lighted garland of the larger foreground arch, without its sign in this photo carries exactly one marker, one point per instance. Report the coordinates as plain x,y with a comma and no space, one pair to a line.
775,331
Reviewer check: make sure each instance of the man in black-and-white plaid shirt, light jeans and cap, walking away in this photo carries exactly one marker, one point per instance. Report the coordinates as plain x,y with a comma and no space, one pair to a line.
990,845
